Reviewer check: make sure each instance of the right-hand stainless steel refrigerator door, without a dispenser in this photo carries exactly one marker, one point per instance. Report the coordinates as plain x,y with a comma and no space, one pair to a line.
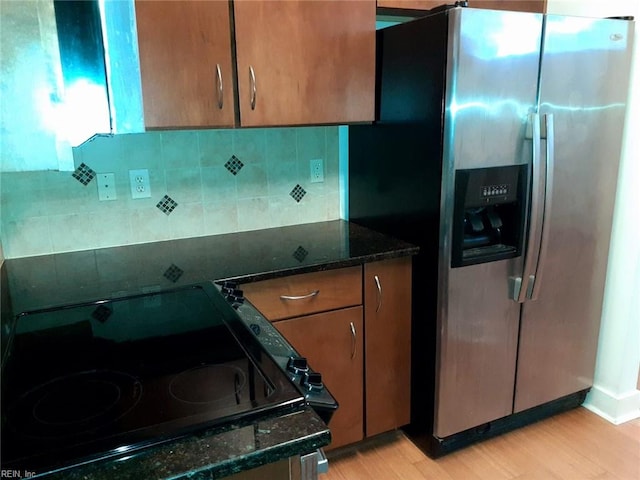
583,88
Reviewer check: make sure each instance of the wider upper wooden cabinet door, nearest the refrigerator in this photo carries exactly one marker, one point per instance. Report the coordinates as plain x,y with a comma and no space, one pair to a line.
305,61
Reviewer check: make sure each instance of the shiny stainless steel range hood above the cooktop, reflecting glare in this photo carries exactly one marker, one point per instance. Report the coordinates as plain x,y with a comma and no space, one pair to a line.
70,72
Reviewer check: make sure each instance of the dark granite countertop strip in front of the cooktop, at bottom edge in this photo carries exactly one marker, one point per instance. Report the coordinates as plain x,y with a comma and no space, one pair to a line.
215,453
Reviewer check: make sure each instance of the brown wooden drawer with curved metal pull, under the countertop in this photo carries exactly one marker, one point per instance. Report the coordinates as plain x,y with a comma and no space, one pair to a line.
298,295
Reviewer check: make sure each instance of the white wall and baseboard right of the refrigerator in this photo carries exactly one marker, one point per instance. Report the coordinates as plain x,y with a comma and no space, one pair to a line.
615,395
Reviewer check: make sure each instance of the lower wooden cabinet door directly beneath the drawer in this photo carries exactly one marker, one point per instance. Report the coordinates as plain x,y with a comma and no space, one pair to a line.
332,343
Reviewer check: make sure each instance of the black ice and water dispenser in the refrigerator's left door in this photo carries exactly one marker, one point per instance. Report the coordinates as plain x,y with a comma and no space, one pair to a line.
488,218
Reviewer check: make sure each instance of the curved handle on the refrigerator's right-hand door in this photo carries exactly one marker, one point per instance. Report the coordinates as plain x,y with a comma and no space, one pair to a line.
548,192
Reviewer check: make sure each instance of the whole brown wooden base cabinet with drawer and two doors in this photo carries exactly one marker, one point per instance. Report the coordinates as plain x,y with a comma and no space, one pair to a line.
354,326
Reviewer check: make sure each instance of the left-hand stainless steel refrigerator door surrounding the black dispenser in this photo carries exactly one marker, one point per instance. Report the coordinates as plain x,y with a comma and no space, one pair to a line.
492,80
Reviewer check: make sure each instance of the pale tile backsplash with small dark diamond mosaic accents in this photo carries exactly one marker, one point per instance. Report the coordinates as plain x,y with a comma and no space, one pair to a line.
202,183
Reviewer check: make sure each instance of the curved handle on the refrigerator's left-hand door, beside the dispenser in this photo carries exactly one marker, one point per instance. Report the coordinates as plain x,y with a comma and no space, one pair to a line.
523,284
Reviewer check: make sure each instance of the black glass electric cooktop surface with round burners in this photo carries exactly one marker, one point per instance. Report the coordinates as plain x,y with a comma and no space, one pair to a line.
90,381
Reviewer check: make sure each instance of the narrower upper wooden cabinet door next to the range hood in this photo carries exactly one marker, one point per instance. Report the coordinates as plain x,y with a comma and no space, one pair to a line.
185,63
